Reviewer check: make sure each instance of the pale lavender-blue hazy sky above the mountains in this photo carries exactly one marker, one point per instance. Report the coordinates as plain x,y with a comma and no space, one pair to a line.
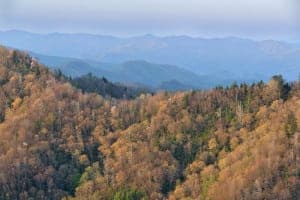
248,18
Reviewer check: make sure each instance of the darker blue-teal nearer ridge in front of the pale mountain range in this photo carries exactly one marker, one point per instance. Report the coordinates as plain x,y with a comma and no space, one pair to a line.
154,76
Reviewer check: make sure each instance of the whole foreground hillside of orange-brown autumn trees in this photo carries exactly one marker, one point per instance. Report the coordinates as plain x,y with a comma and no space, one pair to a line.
240,142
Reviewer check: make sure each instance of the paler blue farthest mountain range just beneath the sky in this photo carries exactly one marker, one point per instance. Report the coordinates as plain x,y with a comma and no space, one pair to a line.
245,59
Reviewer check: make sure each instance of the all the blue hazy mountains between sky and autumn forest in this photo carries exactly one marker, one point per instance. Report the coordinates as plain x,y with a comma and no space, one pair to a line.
192,62
